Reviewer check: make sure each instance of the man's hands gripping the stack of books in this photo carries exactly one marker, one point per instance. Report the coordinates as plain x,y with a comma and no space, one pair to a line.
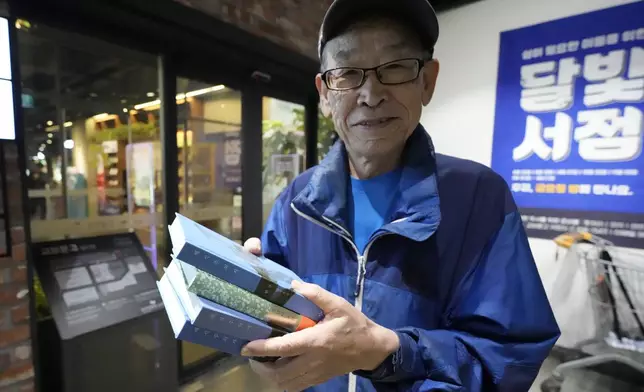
344,341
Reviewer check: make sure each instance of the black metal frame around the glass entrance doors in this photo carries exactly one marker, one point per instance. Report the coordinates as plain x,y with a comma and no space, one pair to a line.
188,43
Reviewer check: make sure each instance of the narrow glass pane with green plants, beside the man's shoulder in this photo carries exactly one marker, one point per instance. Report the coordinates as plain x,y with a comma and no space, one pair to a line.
283,148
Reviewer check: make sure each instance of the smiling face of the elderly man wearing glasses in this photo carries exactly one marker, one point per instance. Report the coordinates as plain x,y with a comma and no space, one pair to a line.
375,120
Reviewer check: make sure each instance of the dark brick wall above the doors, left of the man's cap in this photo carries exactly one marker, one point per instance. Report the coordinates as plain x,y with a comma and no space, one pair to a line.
290,23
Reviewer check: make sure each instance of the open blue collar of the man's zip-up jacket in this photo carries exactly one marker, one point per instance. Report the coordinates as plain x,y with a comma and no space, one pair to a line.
416,213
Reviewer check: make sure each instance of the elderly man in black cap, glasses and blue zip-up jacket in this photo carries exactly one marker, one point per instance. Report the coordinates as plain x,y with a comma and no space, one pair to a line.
419,260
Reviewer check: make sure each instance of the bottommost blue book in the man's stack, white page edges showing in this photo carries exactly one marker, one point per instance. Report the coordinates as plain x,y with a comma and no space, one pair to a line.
184,330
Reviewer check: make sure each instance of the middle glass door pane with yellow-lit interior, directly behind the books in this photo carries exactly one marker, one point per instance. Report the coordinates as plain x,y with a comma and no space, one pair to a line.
209,174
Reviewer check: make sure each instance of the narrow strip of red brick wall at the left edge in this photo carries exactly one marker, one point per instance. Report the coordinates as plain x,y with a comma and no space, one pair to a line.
16,367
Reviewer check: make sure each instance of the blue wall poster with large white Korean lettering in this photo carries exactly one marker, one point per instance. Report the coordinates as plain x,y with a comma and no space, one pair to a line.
569,123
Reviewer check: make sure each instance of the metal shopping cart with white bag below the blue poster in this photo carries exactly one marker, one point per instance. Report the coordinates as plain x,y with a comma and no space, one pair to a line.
616,280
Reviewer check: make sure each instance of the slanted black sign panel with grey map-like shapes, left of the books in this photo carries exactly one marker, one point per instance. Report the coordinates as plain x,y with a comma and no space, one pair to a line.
93,283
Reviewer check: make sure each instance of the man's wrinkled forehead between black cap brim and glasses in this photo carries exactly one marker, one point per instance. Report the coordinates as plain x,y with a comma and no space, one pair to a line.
372,41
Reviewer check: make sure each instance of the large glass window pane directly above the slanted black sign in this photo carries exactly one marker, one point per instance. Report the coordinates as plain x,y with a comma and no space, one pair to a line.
92,138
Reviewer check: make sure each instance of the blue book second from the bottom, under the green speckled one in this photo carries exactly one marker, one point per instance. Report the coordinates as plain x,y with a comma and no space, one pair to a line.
206,314
